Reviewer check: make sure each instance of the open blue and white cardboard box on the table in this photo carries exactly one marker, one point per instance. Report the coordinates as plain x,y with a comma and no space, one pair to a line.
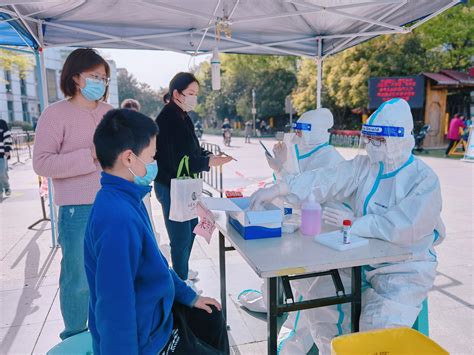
250,224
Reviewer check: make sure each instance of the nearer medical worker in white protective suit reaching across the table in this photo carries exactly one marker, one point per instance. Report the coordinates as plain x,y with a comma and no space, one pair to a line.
397,198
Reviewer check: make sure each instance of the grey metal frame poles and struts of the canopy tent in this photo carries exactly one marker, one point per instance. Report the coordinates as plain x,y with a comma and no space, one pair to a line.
204,32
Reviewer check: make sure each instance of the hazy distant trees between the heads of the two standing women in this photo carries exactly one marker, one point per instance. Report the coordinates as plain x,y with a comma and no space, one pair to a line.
151,101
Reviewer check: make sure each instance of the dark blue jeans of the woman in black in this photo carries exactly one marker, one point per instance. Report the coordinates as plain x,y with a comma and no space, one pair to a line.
180,233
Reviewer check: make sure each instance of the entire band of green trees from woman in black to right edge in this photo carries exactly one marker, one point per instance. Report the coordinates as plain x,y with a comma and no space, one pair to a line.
445,42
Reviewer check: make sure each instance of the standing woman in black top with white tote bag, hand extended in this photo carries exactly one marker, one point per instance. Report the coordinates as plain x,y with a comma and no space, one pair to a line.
177,139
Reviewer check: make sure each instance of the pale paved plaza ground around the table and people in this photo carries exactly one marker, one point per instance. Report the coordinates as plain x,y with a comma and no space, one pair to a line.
29,268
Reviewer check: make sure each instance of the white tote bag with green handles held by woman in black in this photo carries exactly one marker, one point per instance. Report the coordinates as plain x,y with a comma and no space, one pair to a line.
185,193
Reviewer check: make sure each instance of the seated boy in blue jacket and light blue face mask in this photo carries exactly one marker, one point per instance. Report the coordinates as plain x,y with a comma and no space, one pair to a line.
138,305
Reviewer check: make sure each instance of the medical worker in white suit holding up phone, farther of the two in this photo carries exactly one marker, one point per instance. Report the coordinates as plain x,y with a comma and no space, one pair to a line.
312,150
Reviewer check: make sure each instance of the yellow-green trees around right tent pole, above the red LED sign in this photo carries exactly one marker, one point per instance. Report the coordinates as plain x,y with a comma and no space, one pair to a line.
445,42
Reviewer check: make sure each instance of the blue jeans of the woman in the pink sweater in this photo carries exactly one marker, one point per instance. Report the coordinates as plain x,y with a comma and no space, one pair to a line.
73,288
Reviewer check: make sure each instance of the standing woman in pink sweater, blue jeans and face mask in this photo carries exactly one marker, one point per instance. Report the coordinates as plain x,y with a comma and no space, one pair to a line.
64,151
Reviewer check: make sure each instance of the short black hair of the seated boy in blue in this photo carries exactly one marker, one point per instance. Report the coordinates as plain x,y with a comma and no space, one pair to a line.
120,130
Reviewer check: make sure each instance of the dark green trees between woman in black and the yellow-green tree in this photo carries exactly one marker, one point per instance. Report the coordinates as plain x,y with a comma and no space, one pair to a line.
273,78
